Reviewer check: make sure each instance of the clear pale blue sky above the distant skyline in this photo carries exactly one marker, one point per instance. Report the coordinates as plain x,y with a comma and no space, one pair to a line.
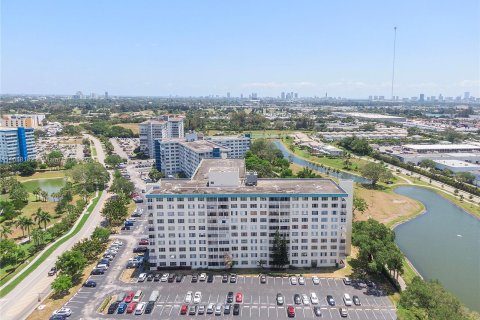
199,48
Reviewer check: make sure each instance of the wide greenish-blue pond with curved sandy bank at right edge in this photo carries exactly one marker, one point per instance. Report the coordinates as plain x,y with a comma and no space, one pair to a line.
443,244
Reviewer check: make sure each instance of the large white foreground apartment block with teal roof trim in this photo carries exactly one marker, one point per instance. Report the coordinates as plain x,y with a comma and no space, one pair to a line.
225,214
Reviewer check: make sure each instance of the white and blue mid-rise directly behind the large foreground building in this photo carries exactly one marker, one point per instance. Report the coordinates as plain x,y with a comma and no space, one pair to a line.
173,156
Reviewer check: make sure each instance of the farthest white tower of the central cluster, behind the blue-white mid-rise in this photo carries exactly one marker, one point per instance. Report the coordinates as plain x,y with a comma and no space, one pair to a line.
167,127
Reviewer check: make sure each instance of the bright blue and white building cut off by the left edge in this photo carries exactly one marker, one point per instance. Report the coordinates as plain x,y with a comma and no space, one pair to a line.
16,144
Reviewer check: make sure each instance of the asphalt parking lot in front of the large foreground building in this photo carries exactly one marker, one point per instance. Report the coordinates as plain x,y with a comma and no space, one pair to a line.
259,300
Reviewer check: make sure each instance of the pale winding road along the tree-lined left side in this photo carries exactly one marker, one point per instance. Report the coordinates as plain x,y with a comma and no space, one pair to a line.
25,297
